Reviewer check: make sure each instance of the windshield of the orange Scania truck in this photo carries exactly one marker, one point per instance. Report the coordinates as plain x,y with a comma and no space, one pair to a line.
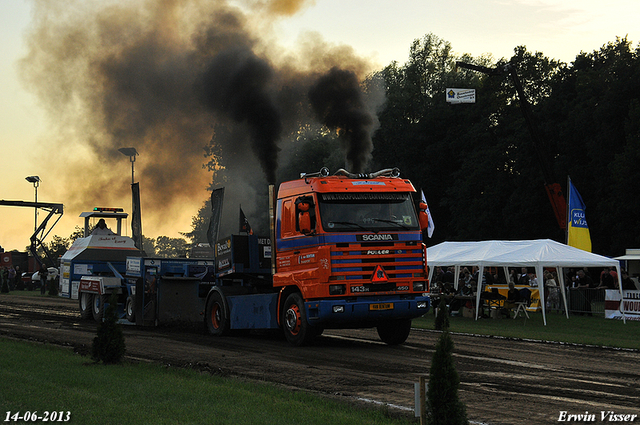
341,212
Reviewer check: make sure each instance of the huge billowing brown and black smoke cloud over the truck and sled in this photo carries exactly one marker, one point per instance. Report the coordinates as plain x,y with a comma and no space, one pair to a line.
176,79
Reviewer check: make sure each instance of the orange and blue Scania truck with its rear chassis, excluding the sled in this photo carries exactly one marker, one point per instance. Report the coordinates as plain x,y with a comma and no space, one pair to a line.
346,251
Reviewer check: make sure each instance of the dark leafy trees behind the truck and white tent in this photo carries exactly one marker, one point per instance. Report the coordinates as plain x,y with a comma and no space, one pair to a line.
476,163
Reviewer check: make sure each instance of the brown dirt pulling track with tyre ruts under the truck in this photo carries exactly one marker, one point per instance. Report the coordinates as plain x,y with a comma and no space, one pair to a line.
502,381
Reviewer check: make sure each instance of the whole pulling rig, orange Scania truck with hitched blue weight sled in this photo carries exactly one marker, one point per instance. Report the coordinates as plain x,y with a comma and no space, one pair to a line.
344,251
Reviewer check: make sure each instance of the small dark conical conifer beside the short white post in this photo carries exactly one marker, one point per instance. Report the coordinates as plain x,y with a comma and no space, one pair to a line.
443,405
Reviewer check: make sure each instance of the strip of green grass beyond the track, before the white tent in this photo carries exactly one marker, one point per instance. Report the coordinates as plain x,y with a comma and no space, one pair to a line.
594,330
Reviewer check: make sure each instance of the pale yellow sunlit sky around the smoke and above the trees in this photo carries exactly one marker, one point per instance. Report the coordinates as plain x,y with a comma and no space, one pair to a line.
377,29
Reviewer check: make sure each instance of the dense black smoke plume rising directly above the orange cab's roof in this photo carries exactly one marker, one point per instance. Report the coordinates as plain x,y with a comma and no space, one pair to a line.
338,103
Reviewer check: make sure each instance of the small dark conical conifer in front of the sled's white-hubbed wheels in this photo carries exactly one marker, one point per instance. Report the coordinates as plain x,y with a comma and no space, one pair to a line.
109,346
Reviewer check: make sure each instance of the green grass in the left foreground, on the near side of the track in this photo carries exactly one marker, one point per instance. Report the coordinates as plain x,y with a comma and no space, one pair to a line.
45,378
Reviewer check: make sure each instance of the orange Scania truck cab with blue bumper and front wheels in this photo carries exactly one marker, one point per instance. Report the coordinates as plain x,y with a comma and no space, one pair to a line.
349,253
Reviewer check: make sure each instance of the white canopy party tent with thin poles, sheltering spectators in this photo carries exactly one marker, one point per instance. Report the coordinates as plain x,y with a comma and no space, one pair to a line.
534,253
